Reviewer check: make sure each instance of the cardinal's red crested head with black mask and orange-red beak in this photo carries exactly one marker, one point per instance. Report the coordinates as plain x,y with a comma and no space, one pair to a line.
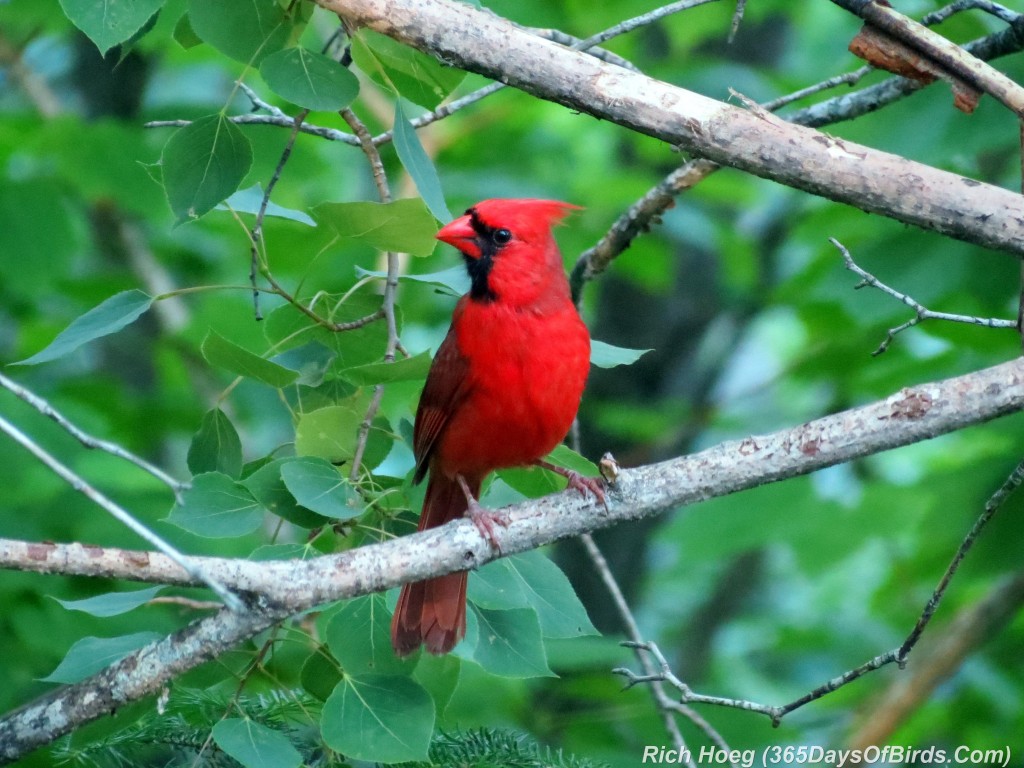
509,249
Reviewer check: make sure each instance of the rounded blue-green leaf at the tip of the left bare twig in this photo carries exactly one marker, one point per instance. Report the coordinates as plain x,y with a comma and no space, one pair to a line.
218,507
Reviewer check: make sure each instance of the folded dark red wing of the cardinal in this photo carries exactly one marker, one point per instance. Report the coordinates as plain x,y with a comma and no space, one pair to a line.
445,390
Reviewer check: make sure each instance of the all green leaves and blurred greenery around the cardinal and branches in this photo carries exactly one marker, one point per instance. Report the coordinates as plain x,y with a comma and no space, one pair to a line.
753,323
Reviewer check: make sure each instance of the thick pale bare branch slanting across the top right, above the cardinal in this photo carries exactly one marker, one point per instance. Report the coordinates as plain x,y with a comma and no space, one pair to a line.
749,140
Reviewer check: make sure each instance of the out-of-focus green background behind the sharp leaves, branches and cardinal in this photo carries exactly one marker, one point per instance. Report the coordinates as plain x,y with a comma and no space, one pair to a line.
753,324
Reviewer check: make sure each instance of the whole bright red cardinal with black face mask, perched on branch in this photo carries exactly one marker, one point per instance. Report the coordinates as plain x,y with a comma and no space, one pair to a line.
503,392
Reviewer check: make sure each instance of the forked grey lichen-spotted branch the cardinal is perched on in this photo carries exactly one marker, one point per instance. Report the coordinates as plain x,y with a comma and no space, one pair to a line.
290,587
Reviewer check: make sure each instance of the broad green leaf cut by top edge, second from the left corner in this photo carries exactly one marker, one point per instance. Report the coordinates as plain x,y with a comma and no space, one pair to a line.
244,30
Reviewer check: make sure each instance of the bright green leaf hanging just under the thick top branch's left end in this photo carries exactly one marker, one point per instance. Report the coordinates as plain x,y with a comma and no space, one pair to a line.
416,76
